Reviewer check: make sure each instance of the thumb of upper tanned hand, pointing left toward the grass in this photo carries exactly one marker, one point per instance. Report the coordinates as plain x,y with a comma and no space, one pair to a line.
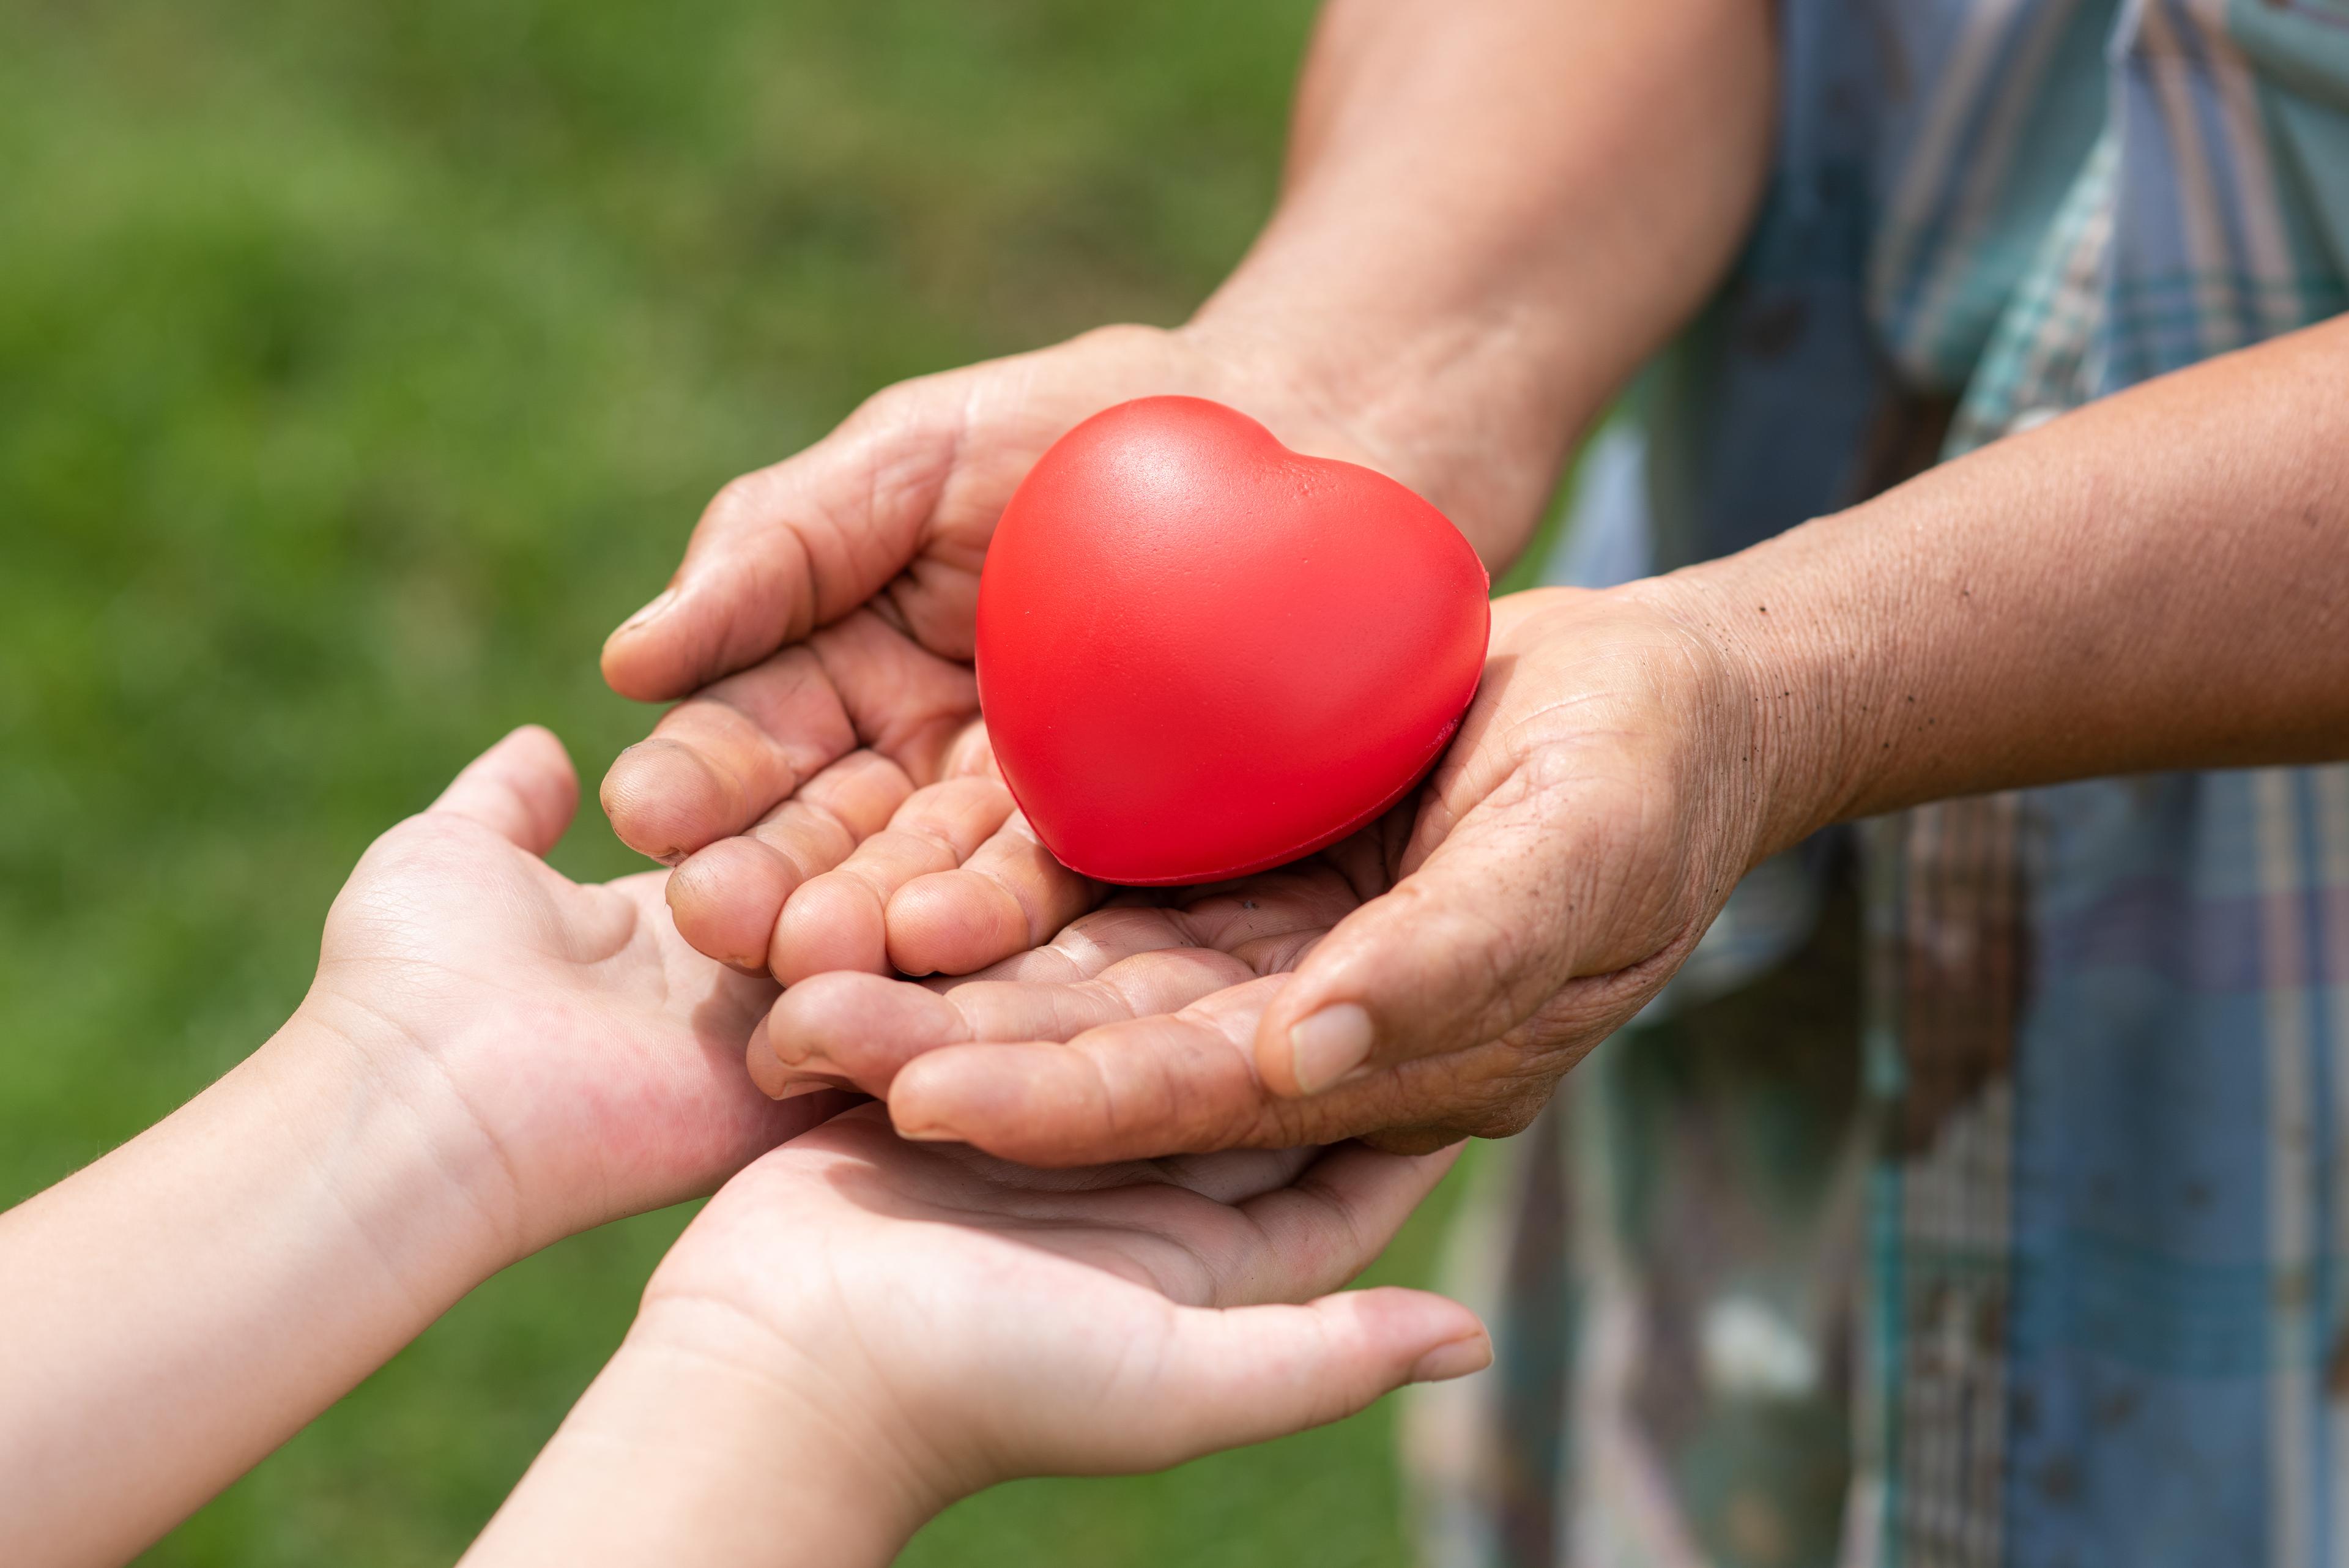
795,547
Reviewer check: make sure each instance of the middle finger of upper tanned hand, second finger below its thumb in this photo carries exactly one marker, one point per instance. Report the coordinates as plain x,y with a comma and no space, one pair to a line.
729,894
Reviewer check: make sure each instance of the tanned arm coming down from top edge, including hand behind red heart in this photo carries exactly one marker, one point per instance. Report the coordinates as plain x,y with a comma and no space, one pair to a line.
1493,213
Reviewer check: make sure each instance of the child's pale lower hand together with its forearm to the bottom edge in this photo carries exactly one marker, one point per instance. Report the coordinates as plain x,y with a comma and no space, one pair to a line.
861,1329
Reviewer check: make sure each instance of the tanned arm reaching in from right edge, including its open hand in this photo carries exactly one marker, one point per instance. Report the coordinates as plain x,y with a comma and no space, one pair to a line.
2158,582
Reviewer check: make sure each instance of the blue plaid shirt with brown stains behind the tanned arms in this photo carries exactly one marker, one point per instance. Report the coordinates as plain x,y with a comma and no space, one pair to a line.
2068,1285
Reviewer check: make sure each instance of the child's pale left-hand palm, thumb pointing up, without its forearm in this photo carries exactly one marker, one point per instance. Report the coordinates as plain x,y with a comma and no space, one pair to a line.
565,1050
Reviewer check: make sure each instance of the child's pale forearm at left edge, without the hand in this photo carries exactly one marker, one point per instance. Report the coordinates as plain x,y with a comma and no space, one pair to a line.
187,1304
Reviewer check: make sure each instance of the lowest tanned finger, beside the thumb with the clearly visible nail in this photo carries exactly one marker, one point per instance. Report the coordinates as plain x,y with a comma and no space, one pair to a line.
1164,1085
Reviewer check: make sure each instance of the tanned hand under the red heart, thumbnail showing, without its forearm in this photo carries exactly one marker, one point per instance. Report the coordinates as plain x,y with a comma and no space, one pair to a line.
1413,986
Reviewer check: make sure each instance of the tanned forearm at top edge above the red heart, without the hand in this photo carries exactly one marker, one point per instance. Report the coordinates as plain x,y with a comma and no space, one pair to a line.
1495,210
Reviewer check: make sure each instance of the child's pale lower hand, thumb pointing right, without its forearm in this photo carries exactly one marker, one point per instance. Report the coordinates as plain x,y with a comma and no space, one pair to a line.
960,1322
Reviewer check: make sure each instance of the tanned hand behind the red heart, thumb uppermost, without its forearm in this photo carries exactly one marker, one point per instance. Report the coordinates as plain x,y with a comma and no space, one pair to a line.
821,631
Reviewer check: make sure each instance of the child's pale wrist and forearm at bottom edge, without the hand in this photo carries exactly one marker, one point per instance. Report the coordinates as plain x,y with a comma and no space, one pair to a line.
708,1445
